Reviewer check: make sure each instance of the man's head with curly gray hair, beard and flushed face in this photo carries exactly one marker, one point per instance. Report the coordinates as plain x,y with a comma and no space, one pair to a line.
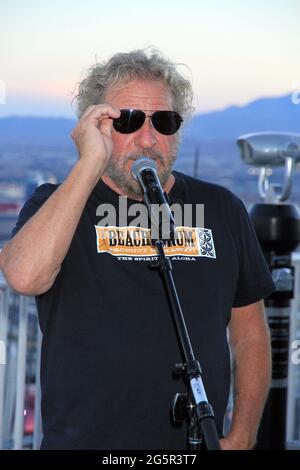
133,76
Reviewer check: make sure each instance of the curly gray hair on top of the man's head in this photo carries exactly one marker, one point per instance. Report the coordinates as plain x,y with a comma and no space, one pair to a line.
142,64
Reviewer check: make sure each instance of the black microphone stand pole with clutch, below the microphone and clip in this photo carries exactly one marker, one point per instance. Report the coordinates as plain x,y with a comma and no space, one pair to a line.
193,405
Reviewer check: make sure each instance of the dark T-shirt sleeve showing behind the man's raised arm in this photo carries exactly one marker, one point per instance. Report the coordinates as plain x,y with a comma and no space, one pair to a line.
32,205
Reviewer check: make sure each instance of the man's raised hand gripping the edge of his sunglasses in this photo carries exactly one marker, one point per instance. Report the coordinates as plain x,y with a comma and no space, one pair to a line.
92,134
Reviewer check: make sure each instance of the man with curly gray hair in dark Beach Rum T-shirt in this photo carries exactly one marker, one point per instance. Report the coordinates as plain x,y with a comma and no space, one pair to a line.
108,340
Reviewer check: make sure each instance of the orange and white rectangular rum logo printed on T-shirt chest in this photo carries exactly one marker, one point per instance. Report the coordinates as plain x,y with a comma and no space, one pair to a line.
136,242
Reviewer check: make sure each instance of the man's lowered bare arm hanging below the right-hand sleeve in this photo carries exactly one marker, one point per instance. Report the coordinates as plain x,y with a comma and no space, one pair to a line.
251,351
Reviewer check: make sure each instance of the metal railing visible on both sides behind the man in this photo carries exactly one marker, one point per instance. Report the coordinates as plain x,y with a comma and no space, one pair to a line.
20,347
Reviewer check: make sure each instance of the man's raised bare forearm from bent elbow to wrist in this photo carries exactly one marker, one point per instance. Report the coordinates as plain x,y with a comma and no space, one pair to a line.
32,259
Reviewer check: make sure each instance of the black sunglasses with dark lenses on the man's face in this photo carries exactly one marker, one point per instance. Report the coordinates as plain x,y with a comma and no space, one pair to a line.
165,122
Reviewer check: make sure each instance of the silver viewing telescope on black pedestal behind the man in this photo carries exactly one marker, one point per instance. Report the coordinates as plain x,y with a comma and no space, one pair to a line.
277,224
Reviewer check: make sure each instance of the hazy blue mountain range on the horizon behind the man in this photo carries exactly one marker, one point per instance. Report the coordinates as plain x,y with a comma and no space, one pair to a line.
266,114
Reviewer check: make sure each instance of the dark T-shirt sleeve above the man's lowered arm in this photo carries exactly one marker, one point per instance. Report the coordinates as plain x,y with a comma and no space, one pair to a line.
254,280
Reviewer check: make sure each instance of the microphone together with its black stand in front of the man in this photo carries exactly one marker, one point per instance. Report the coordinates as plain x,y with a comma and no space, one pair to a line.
193,405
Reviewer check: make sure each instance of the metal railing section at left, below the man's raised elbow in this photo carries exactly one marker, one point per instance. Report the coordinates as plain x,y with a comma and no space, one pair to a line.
19,371
